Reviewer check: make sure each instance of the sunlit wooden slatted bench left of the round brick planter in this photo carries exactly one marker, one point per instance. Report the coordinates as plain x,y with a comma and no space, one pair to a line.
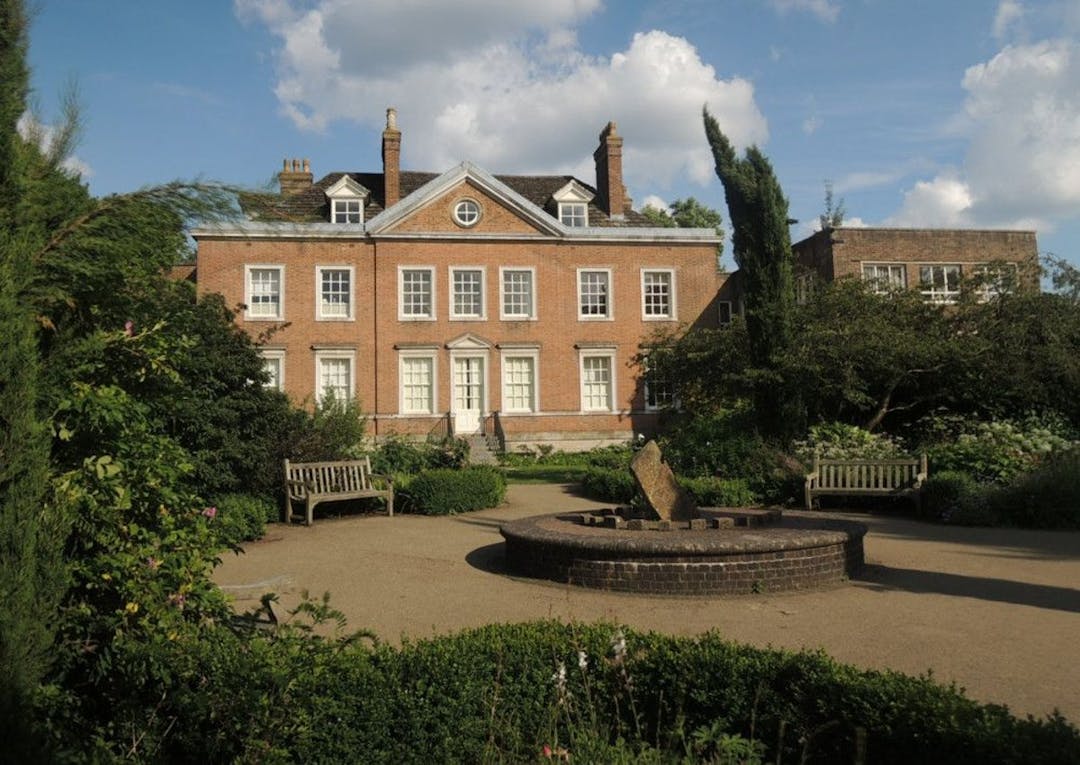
323,482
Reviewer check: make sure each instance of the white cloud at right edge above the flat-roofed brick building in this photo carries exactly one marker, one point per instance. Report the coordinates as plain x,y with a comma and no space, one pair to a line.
1023,163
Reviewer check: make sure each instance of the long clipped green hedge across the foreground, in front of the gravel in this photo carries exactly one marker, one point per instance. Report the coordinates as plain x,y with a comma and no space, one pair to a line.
504,693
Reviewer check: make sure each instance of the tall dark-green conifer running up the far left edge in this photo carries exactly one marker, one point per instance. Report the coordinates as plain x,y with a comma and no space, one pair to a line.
32,576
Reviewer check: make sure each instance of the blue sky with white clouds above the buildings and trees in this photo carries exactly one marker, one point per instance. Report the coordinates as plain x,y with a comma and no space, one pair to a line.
921,113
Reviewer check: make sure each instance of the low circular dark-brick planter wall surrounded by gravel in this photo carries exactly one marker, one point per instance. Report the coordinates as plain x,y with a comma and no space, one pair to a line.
791,555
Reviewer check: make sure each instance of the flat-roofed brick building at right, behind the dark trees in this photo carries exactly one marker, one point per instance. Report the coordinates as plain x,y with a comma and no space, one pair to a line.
936,262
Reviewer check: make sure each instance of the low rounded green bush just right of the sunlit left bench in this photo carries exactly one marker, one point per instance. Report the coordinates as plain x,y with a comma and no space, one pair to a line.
444,491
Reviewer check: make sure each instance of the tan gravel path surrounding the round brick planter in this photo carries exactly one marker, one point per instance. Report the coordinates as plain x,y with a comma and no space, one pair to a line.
995,611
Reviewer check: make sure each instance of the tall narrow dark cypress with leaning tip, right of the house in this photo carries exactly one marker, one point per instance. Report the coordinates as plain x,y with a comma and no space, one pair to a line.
763,250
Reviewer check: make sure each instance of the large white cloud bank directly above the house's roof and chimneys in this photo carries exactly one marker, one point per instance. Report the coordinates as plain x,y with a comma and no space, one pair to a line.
503,84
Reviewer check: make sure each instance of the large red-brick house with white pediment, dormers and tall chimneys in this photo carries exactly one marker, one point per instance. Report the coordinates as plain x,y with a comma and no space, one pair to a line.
464,302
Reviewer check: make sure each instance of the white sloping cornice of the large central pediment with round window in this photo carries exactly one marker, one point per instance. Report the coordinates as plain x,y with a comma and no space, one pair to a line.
479,181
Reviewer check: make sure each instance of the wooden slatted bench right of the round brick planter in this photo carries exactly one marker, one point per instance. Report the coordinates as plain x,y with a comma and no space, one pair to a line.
865,478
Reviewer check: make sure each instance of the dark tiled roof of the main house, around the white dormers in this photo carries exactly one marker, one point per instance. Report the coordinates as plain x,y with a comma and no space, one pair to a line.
312,206
